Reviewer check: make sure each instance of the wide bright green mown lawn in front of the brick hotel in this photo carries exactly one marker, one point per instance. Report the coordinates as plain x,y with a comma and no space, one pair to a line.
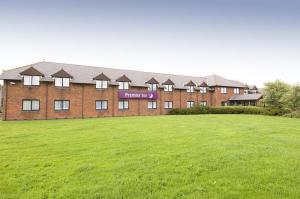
205,156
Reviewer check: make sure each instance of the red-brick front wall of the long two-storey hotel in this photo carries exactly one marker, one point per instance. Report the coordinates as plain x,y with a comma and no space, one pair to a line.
83,101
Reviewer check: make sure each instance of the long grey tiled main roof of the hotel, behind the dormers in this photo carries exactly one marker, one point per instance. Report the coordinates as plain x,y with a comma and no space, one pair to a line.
85,74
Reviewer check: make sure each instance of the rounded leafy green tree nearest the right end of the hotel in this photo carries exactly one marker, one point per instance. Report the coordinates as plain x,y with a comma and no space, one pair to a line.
275,94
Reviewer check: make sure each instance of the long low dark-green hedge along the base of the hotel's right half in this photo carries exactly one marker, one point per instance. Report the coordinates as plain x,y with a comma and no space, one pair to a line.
228,110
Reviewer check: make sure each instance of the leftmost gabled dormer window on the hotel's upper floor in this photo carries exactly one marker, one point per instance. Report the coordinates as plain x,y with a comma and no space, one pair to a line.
31,77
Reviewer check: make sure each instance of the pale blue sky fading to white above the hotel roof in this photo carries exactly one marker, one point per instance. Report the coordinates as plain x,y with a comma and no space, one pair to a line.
253,41
